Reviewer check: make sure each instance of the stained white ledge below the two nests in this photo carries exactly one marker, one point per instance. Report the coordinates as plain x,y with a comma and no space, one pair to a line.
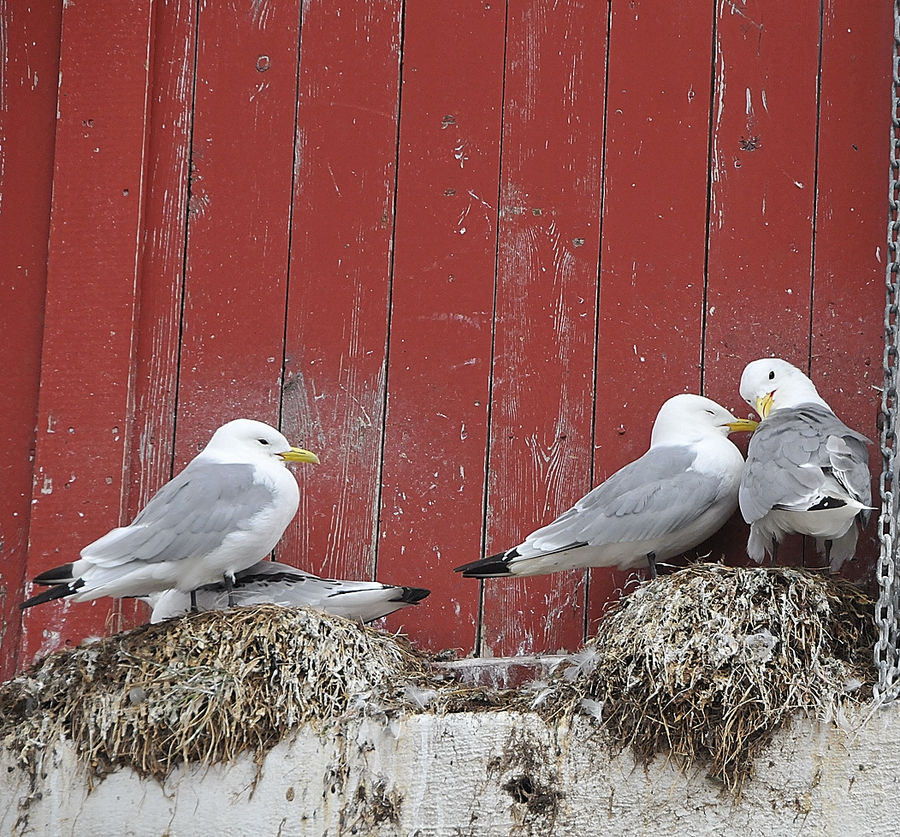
463,774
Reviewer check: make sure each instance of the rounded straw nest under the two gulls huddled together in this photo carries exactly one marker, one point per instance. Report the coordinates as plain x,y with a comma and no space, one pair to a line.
708,663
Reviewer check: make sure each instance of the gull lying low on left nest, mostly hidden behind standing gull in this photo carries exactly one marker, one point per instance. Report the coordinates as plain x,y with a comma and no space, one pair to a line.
270,582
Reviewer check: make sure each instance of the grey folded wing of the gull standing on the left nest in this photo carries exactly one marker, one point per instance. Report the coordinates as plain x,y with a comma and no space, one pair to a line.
188,517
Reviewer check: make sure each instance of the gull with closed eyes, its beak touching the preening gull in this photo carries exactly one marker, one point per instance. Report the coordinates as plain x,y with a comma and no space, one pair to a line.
672,498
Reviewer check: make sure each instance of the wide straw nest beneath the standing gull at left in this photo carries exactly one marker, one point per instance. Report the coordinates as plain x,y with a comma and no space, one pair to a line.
208,686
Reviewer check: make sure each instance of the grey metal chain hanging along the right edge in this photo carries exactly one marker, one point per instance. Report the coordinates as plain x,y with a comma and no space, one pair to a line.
887,612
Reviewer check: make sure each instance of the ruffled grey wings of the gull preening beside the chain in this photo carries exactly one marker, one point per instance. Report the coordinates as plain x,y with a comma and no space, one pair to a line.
792,456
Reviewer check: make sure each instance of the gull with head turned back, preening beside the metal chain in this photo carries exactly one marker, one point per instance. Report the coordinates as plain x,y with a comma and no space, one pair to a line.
806,472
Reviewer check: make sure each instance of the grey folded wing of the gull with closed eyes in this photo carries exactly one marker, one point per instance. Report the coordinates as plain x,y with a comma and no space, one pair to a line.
648,498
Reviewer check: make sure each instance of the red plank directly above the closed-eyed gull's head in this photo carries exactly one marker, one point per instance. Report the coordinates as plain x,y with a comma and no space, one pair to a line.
654,231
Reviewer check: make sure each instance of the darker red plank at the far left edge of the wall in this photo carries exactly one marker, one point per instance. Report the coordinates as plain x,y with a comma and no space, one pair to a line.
29,68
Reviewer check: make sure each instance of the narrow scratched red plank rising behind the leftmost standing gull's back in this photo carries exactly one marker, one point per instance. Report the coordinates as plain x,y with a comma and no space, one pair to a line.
161,267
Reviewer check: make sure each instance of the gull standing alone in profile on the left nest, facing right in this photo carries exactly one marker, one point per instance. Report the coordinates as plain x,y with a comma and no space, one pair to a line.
224,512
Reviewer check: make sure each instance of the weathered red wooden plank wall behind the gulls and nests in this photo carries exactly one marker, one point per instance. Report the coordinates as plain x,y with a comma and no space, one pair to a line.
462,249
